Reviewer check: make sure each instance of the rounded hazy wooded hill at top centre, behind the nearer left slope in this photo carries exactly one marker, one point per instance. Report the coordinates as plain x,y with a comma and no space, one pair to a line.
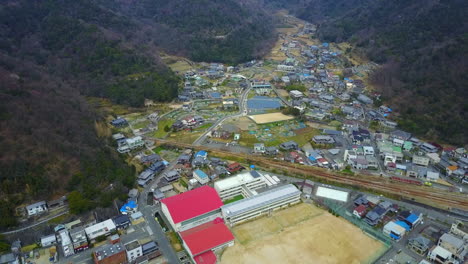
204,30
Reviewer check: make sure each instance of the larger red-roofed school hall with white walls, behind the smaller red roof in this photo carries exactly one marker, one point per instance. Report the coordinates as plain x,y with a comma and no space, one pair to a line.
179,209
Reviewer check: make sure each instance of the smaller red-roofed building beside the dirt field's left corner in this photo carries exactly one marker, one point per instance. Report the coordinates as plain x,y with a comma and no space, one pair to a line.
206,237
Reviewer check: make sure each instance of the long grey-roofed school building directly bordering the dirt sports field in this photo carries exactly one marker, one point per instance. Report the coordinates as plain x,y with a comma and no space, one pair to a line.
263,203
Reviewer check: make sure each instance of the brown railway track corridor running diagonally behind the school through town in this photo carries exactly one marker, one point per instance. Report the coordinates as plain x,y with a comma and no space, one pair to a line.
428,195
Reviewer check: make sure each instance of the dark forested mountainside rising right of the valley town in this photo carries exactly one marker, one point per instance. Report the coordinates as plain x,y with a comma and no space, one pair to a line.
422,46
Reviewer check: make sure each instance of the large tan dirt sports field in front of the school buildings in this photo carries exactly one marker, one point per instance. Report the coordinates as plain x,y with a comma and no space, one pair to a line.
301,234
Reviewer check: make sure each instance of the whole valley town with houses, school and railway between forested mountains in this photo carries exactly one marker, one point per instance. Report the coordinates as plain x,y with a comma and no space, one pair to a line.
261,162
